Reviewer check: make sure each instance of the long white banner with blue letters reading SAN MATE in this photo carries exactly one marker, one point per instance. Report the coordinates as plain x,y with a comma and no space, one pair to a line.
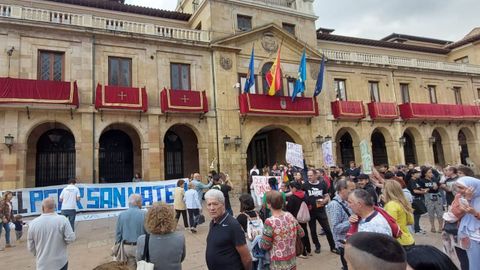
94,197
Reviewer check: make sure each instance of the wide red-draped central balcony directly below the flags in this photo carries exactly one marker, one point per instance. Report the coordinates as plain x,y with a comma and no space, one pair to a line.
253,104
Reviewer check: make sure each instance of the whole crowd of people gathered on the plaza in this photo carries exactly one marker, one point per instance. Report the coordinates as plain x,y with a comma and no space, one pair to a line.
371,221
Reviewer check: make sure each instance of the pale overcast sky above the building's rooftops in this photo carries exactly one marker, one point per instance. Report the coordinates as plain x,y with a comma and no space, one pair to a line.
442,19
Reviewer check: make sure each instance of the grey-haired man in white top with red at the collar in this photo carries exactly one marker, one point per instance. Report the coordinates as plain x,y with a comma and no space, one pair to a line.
369,220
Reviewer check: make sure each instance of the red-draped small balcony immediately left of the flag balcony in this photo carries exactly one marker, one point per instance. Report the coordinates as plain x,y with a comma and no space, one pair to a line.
183,101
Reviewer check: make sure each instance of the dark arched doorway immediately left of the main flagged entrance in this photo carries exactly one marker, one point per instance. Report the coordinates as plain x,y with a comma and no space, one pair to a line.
181,152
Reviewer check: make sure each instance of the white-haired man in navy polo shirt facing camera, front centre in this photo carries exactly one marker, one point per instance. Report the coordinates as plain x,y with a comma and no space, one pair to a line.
226,244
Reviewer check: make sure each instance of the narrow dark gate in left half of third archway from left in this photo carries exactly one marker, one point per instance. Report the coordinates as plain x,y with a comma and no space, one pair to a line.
173,156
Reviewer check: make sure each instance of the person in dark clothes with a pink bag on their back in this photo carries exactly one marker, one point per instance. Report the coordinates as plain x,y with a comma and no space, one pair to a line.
294,204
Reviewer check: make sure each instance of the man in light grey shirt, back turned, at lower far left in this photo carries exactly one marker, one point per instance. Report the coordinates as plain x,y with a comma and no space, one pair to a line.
48,237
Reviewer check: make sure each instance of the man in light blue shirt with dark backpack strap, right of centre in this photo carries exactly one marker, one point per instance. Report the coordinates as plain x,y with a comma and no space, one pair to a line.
338,216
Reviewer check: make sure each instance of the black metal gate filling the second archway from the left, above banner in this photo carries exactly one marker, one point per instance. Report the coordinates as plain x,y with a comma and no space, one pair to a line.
115,157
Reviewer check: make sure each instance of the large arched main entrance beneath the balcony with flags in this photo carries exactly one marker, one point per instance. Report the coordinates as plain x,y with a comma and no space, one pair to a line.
268,147
